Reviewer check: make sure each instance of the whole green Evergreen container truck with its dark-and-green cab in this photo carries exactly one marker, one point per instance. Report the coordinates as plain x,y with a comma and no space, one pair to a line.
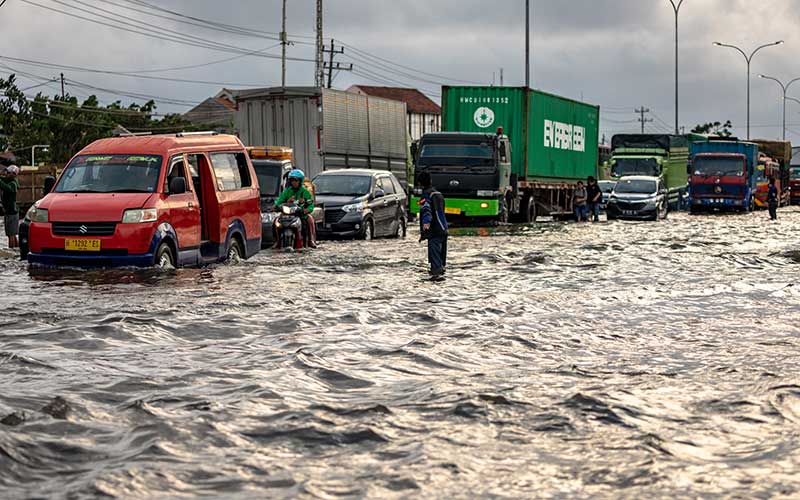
509,153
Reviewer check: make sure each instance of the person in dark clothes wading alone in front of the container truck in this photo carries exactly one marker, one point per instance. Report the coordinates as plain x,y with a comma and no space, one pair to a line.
433,225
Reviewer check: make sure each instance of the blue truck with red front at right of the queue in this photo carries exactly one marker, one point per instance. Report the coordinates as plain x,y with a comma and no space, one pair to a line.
723,175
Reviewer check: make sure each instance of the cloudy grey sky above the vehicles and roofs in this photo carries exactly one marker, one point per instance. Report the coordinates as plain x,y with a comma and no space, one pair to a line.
614,53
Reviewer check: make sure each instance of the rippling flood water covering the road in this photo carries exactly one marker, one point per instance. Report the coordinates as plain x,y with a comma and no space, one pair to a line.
622,360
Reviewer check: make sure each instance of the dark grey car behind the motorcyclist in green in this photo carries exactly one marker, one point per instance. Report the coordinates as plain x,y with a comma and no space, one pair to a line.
361,204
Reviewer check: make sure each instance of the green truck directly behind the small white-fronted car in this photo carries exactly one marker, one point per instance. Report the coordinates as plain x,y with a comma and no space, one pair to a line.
656,155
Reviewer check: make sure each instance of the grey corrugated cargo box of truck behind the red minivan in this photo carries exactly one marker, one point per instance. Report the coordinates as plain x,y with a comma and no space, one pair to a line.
327,129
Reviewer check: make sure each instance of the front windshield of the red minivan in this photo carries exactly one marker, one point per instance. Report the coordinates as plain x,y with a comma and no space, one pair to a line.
111,174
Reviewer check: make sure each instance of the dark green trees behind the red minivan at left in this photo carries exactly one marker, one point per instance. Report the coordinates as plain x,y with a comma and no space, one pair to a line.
68,125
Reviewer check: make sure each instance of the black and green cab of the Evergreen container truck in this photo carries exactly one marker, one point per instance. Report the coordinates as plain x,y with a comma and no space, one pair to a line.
471,170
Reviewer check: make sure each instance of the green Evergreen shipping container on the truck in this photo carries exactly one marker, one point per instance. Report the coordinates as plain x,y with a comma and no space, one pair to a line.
552,138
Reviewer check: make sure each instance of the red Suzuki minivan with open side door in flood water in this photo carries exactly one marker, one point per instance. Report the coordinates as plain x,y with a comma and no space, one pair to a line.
166,200
